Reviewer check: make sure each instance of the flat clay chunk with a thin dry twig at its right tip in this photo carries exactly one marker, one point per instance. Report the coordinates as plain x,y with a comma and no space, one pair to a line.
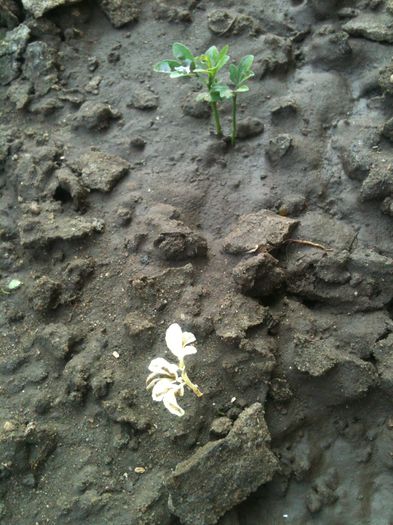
262,229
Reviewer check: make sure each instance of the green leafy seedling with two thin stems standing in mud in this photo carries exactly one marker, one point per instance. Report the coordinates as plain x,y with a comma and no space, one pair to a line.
205,68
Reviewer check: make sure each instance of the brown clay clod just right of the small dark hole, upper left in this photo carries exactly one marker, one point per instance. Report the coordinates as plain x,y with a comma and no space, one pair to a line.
101,171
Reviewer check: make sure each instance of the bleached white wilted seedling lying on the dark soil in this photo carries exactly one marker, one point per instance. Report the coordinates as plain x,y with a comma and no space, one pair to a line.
168,380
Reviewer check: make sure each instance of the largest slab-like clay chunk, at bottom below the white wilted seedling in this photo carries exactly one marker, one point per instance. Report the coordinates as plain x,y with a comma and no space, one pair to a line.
223,473
